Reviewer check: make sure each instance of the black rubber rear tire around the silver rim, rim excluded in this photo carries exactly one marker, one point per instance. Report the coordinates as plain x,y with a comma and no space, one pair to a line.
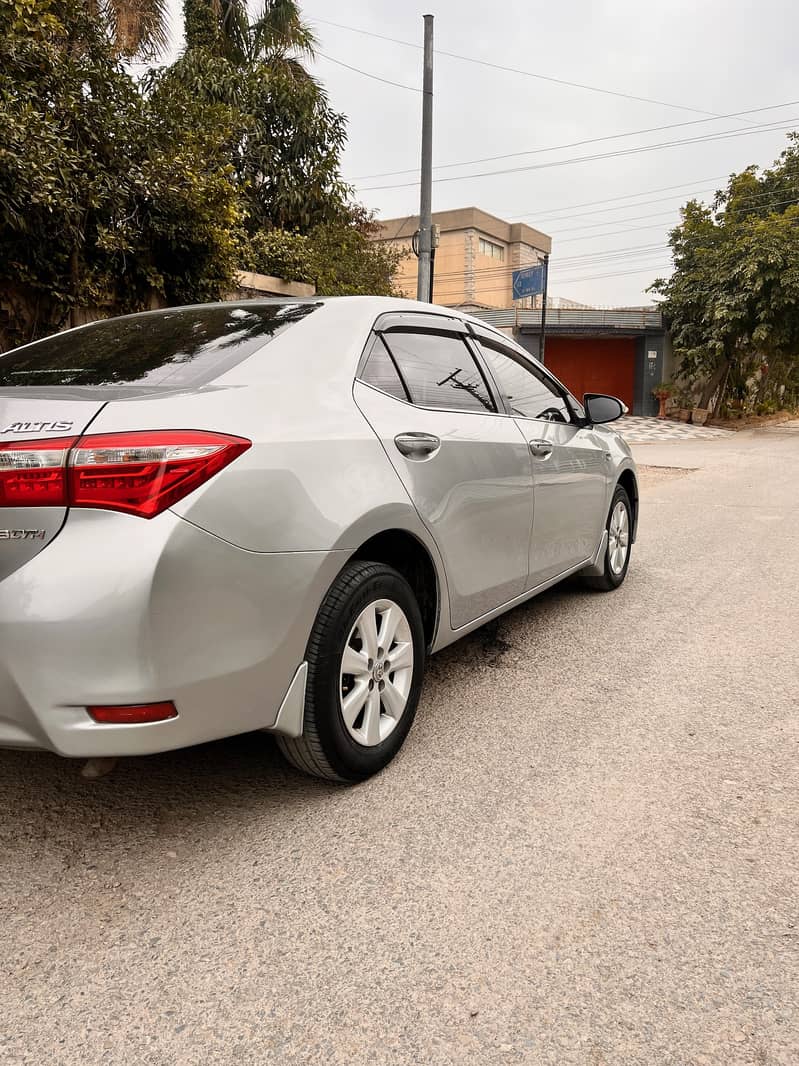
327,749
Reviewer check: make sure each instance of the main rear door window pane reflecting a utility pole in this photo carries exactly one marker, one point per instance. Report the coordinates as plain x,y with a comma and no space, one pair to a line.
439,372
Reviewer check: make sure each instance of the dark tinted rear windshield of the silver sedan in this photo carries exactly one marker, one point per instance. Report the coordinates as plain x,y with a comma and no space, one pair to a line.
184,347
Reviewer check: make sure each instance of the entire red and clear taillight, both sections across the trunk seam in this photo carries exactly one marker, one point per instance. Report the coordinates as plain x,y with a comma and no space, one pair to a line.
142,474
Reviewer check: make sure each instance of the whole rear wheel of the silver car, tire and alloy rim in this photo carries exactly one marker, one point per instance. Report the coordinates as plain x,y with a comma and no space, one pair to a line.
366,660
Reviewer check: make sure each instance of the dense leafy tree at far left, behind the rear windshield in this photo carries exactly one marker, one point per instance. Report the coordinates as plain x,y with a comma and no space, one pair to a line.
108,200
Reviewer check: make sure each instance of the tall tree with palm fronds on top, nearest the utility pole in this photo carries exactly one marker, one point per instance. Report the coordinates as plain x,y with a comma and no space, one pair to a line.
287,161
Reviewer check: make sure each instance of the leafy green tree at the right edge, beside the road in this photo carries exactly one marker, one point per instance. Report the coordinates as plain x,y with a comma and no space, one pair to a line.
733,300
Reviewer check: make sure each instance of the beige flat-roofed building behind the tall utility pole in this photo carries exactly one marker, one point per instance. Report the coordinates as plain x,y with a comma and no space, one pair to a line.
477,254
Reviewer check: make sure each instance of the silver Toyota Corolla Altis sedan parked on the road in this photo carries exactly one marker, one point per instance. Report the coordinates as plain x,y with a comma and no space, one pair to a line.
265,515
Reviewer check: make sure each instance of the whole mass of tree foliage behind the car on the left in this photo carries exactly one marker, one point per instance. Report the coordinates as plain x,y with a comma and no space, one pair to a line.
117,195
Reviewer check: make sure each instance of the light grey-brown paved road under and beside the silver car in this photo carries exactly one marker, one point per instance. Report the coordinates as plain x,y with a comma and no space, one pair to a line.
588,852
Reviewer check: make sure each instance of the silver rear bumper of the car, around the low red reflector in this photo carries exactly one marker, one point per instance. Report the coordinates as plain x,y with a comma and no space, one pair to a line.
122,611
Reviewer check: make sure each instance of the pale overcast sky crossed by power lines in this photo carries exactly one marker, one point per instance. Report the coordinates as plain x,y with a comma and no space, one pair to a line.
709,57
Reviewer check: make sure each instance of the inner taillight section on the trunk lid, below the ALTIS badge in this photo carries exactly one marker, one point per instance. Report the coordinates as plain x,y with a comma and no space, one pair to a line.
34,473
